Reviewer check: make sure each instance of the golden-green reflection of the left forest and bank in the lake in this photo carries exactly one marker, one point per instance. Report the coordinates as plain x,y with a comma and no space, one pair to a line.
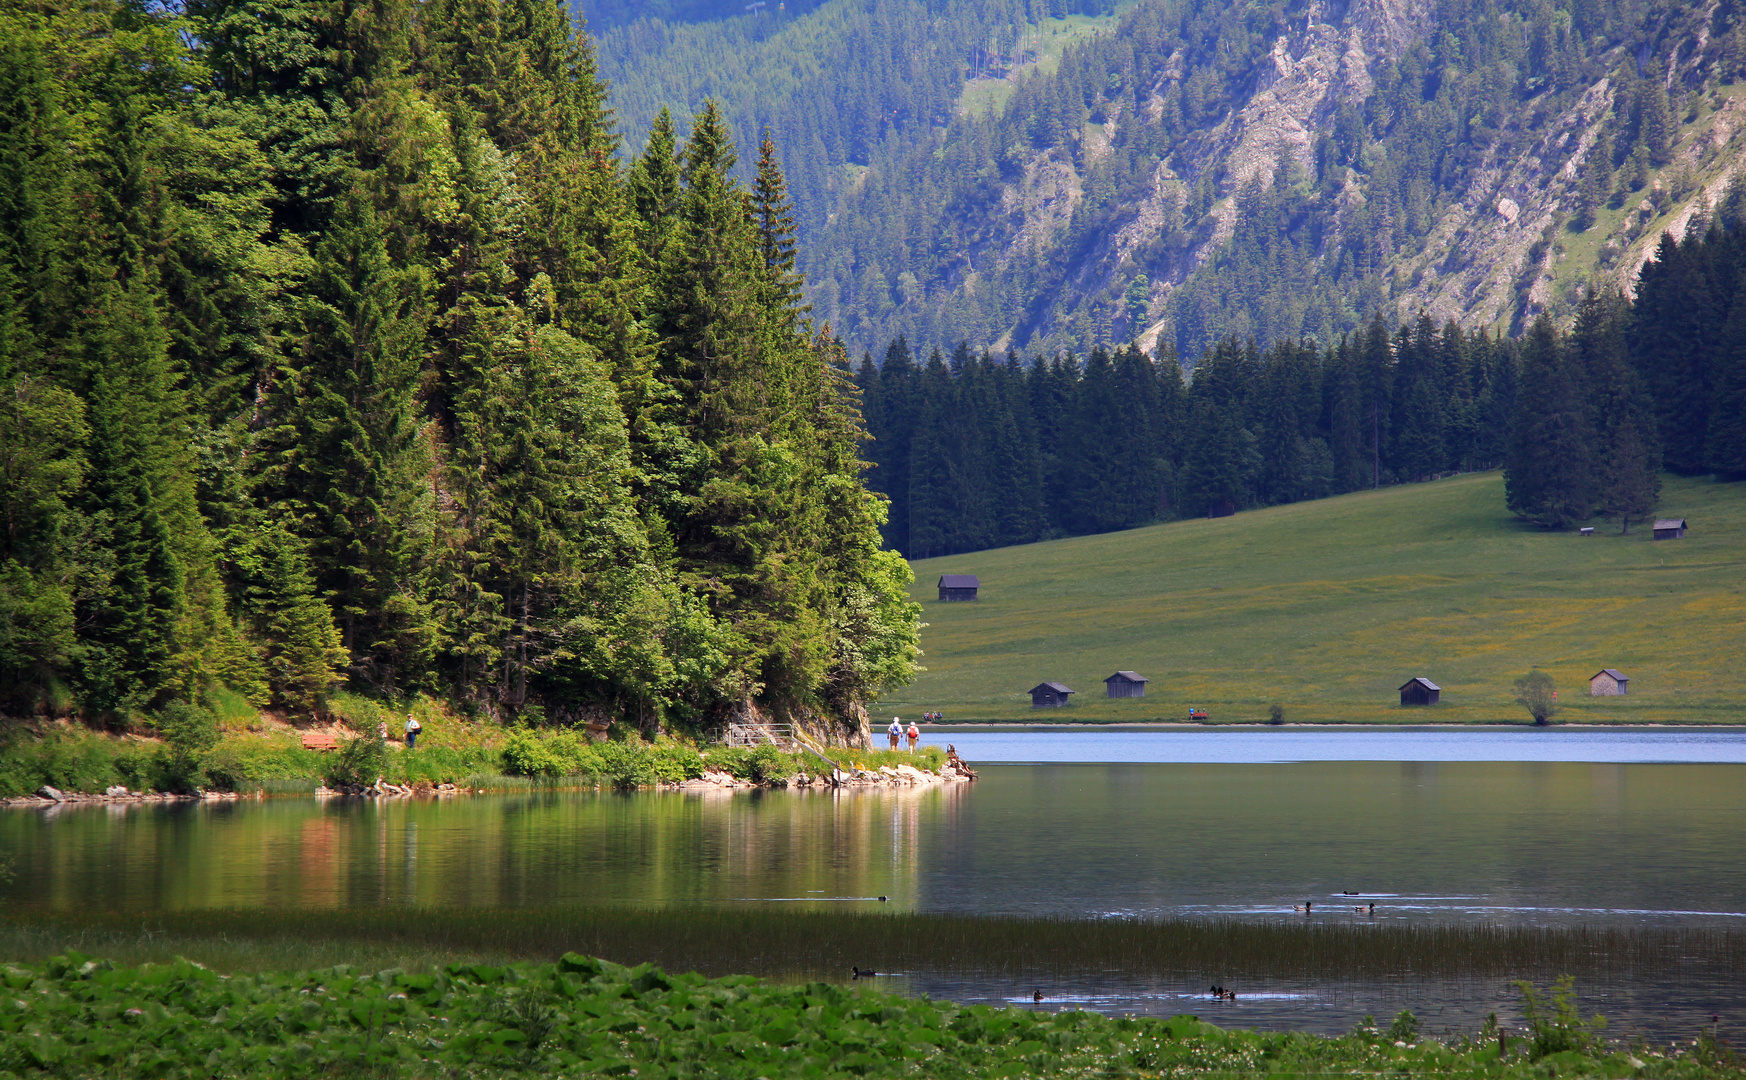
485,852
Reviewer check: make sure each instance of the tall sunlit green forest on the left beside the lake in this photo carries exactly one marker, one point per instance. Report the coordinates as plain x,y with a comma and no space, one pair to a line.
338,343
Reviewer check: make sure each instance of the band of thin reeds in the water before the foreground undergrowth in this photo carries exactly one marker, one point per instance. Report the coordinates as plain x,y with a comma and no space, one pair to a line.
790,943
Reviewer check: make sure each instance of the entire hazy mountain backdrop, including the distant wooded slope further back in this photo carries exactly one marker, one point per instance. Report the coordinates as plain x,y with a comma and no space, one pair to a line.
1146,186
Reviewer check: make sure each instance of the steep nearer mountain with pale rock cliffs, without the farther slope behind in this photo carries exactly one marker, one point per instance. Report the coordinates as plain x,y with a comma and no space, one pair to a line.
1199,170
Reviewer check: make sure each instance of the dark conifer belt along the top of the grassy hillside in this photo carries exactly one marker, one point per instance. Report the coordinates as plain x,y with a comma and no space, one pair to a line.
977,451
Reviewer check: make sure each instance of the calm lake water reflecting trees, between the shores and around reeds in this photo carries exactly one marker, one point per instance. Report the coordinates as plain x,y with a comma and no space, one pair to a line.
1621,828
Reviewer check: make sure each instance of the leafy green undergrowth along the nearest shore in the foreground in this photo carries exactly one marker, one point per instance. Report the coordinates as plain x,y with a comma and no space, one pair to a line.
74,1016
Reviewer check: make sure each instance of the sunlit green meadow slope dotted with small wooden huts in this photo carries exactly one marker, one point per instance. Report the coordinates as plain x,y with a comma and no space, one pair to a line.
1328,608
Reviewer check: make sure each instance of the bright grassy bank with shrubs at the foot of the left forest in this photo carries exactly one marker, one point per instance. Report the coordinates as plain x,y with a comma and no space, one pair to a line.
273,762
